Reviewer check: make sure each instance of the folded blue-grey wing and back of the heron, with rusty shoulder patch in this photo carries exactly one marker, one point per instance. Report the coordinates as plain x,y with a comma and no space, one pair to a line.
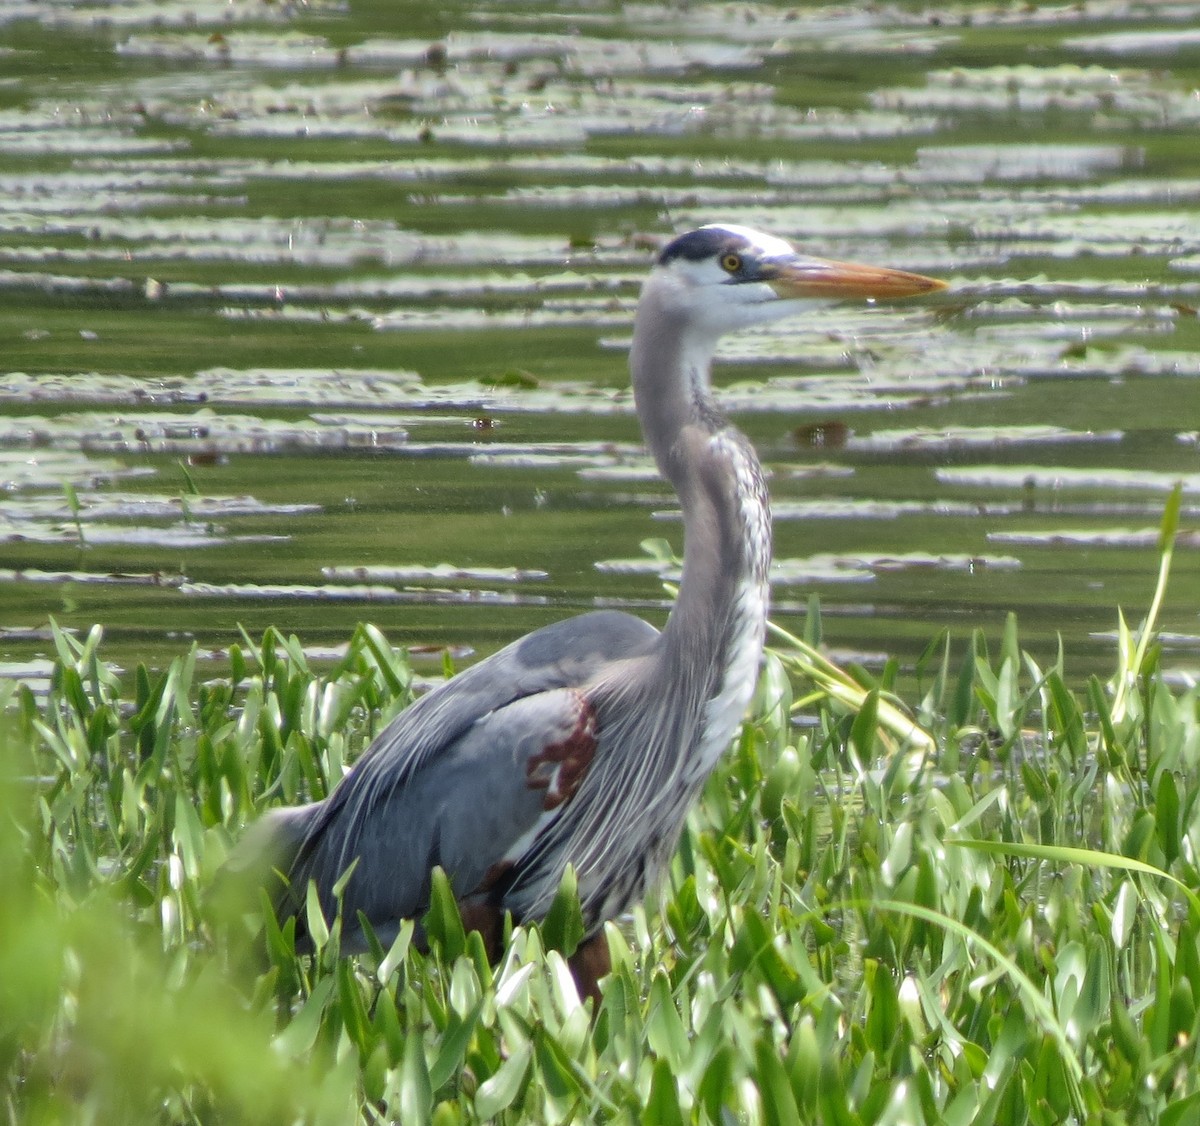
463,777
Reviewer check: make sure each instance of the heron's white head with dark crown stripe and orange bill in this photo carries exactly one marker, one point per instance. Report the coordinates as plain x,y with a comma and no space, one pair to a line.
724,278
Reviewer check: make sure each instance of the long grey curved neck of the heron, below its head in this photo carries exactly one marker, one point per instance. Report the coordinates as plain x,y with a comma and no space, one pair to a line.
721,486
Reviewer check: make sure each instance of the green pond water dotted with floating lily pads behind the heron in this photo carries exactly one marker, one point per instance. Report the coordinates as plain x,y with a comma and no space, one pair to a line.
317,314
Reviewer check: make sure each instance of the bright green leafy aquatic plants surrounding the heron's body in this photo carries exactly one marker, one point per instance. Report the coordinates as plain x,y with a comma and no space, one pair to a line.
977,909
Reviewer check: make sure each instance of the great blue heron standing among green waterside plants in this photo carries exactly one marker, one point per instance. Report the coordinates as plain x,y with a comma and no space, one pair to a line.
587,741
